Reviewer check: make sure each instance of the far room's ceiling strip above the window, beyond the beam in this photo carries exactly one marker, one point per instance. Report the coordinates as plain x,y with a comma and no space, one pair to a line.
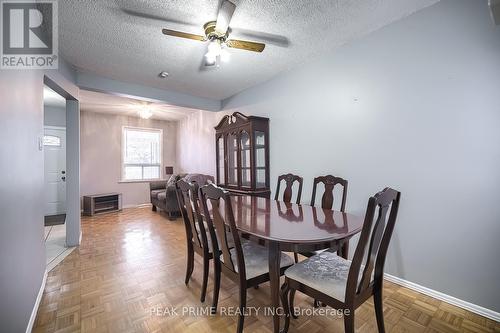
111,104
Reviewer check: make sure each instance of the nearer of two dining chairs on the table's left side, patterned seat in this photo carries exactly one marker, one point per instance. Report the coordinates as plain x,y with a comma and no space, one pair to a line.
247,262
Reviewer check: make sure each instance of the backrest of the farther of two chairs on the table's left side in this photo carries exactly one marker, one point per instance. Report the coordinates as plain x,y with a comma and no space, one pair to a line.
187,197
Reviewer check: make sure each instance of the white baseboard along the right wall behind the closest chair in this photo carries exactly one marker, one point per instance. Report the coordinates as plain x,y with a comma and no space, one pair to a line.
446,298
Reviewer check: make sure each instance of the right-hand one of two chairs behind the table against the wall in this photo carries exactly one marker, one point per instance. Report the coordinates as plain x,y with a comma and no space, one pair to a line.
327,199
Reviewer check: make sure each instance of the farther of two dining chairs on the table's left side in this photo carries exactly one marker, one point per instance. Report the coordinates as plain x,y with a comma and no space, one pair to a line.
196,233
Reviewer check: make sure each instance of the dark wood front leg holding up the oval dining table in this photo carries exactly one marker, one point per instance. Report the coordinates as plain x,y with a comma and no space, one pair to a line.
274,279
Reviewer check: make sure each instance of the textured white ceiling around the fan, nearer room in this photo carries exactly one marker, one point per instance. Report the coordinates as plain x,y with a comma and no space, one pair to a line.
100,37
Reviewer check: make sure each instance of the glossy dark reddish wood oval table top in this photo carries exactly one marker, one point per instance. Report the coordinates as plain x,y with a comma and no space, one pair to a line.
292,223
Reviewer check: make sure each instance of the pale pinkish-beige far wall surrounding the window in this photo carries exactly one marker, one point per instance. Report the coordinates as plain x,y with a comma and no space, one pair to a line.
101,154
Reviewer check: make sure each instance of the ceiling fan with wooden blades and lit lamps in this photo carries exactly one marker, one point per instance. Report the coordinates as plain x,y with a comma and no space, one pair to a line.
217,33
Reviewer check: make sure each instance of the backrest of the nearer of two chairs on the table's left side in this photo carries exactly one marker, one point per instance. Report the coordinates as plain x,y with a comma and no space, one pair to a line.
219,216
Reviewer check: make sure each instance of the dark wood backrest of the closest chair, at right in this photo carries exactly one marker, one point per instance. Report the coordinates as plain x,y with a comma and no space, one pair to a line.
373,242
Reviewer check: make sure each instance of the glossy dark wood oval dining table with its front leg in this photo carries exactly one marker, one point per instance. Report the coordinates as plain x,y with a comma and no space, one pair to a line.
290,227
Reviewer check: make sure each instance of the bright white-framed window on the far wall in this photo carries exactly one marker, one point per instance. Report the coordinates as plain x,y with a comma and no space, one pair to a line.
141,153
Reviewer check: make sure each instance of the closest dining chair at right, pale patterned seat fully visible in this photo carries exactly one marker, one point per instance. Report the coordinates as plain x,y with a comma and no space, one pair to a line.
343,284
